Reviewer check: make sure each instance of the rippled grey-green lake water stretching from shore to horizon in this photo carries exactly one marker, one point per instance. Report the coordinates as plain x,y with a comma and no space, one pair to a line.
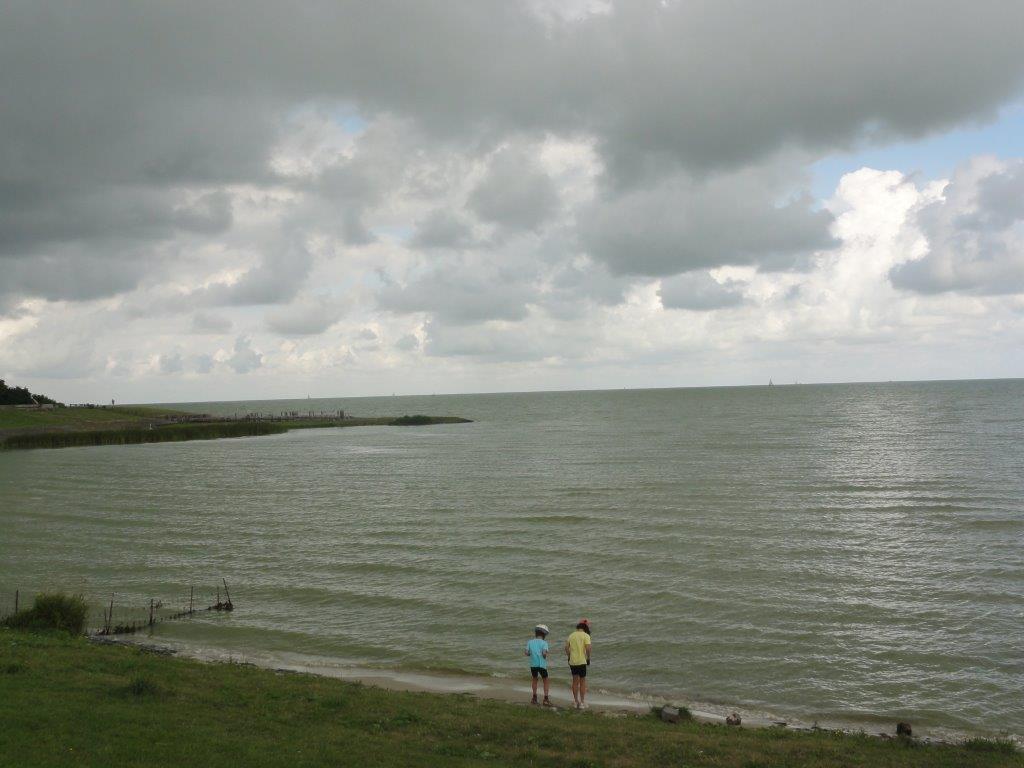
843,553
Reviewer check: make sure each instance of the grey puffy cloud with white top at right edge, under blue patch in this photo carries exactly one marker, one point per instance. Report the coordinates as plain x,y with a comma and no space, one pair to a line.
975,235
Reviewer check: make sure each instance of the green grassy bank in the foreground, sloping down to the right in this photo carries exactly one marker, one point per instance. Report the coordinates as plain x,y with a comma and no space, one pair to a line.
64,702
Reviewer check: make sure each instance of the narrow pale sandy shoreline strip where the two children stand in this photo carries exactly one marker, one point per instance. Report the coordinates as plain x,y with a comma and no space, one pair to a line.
518,692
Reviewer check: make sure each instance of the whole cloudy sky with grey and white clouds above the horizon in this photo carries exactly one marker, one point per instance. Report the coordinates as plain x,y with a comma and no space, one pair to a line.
208,201
